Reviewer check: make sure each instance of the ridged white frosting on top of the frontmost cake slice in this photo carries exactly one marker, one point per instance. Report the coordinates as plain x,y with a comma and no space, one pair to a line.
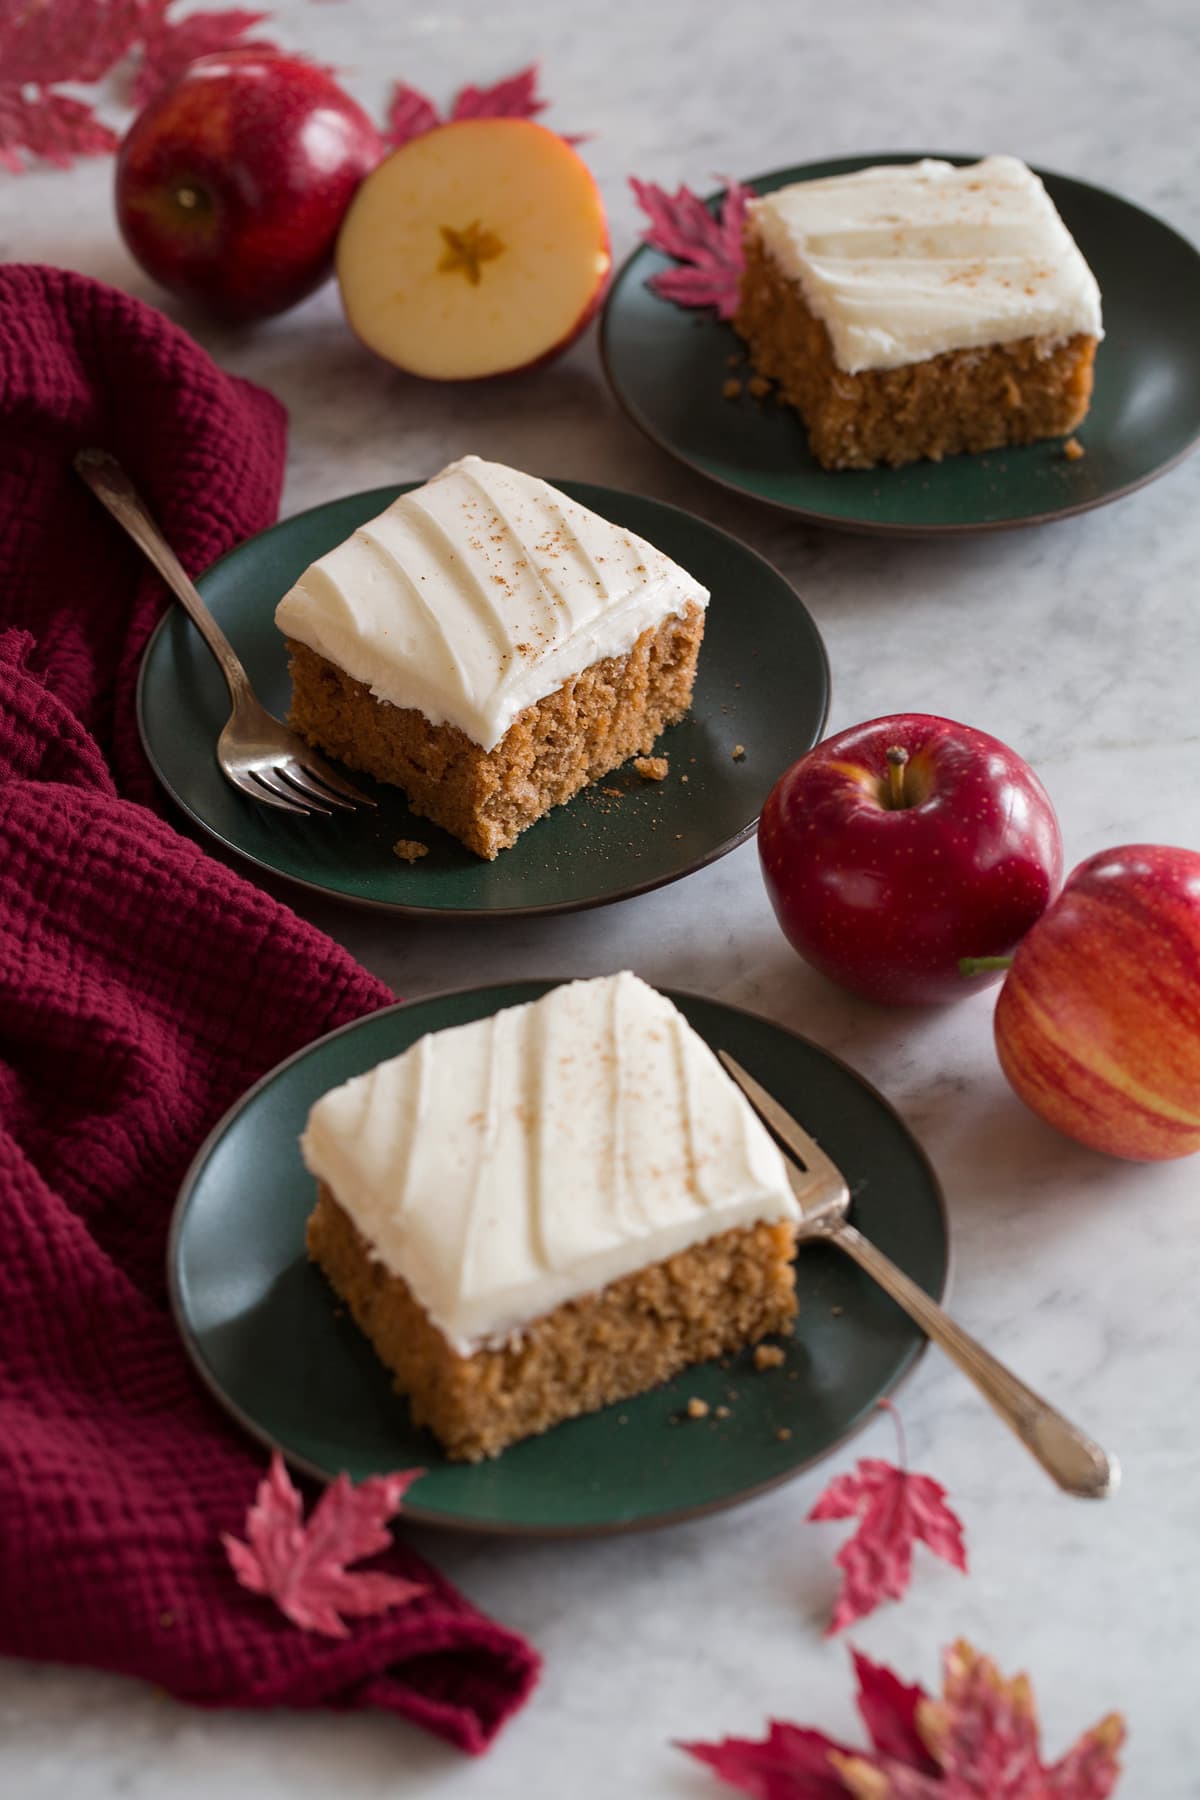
510,1165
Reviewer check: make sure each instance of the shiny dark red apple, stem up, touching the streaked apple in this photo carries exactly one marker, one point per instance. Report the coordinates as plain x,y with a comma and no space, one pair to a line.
897,849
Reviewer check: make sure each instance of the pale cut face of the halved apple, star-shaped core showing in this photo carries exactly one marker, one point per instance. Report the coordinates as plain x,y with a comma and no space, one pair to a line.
478,249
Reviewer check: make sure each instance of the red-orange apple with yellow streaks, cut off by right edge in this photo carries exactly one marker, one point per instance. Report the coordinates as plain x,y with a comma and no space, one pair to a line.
1098,1023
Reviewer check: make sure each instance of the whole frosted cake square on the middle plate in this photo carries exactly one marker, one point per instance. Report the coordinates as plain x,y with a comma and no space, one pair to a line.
490,647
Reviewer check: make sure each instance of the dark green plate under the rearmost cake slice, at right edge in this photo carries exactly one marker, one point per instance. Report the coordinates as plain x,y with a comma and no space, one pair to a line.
667,368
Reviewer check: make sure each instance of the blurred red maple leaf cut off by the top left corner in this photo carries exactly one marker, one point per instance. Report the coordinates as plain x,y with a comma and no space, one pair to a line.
42,44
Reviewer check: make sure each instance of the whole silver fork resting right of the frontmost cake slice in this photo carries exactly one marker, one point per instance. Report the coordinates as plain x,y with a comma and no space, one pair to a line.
1066,1453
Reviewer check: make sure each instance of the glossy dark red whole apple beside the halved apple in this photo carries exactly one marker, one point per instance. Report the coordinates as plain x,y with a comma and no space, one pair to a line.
233,184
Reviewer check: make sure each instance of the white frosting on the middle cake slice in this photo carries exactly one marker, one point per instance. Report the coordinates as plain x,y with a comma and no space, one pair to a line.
479,595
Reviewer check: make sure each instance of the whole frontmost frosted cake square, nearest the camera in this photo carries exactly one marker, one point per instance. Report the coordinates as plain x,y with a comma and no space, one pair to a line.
550,1210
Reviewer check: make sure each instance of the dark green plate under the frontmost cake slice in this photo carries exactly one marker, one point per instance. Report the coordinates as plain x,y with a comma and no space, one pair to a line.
264,1329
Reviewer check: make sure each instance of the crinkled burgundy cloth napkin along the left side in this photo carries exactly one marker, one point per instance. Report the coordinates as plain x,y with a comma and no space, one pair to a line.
143,989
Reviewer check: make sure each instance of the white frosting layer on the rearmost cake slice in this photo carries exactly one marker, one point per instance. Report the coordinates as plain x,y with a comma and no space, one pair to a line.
913,260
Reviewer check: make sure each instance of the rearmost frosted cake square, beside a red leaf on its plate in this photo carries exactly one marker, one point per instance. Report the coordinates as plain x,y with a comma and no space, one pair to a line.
918,310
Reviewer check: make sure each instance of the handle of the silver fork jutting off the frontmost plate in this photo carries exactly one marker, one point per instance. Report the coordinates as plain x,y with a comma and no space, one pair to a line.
1066,1453
